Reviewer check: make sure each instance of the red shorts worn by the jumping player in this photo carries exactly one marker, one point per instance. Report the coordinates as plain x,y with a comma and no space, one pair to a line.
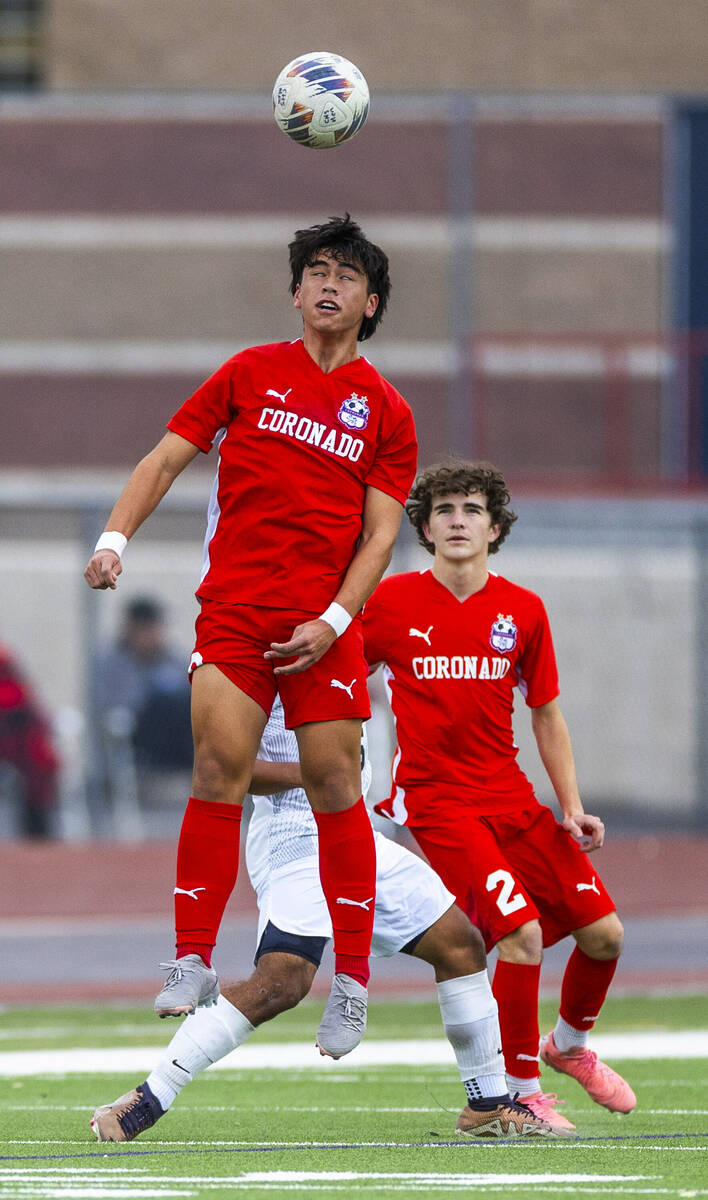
235,638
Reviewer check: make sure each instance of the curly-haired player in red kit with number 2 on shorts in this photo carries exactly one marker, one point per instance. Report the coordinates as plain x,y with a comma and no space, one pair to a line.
457,641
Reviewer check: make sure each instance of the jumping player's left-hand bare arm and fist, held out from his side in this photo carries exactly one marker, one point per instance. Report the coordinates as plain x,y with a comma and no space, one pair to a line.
148,484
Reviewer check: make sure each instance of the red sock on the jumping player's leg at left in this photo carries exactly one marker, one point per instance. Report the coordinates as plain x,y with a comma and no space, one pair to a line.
207,869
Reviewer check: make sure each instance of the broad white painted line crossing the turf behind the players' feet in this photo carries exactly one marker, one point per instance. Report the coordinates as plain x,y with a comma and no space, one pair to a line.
285,1057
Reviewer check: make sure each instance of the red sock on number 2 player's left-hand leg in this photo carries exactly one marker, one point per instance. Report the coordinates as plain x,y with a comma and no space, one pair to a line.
517,992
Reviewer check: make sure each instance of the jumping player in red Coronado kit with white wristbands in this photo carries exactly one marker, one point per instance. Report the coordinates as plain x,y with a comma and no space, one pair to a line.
316,458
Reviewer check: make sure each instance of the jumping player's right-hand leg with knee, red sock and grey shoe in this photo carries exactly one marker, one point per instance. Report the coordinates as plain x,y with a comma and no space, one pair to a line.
332,776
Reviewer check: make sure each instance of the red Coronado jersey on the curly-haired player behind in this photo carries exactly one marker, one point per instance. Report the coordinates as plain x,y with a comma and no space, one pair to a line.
452,671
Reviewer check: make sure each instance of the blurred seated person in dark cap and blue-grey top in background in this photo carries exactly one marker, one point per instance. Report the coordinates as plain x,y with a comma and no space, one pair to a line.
140,707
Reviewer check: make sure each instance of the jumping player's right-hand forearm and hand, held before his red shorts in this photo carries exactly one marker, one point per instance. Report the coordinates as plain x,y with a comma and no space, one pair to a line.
310,641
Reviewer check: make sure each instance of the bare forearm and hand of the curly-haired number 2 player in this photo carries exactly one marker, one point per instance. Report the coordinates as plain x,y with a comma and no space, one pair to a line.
555,748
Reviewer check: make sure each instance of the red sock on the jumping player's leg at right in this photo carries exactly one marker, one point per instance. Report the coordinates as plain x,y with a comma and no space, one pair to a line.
347,872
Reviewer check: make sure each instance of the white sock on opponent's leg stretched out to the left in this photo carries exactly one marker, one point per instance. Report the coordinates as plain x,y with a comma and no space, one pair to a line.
205,1037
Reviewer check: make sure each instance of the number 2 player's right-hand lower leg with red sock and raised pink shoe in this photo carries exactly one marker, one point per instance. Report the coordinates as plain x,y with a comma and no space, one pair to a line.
586,982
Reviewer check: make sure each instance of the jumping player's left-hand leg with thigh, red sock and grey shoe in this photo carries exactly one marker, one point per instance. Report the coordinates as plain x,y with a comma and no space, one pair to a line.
227,728
